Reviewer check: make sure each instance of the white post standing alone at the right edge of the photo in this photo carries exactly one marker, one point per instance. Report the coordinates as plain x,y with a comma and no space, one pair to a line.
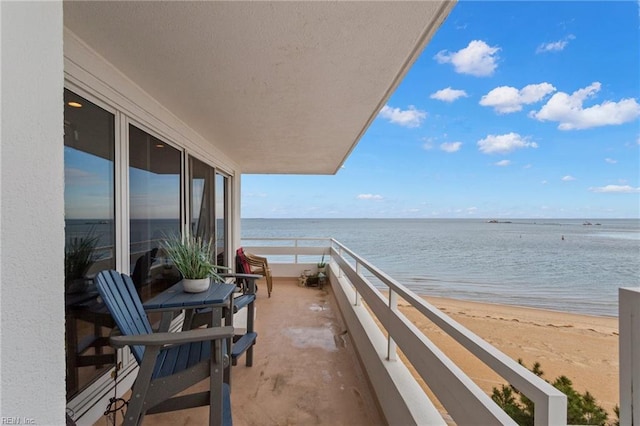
629,344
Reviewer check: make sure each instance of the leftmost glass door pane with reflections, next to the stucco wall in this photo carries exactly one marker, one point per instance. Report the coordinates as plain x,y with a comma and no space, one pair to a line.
89,146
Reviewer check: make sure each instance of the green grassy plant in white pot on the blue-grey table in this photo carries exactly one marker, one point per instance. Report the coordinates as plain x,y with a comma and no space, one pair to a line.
192,256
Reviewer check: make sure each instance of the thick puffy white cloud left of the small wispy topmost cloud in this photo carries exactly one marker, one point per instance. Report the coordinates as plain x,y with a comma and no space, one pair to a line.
478,59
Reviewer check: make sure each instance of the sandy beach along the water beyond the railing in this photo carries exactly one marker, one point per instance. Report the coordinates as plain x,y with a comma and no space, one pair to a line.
583,348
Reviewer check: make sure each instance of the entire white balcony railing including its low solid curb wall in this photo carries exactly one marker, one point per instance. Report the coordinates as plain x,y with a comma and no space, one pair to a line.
401,398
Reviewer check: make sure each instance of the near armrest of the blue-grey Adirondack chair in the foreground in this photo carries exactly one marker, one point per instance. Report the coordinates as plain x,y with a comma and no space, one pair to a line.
168,338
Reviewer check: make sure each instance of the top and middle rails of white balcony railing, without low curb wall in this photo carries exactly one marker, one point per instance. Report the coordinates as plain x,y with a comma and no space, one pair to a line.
461,397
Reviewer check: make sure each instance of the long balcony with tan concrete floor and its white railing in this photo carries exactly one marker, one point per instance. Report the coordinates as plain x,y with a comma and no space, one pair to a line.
345,354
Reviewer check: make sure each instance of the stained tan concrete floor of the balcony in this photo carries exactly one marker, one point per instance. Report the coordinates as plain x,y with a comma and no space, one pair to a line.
304,372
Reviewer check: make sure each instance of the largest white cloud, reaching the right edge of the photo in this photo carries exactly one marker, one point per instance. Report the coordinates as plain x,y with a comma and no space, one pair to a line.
570,113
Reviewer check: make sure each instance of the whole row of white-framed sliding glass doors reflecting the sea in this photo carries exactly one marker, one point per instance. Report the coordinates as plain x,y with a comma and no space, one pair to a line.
126,189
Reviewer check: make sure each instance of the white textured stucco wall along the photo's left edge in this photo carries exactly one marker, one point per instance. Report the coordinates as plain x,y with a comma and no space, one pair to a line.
32,362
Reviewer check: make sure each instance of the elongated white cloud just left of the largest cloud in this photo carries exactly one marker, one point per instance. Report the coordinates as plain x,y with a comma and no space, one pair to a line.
506,99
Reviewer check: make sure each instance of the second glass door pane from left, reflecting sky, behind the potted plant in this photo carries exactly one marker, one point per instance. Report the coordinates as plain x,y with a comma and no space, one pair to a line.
154,210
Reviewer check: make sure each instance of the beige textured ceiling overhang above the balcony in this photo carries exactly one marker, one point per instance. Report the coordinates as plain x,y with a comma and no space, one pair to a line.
279,87
